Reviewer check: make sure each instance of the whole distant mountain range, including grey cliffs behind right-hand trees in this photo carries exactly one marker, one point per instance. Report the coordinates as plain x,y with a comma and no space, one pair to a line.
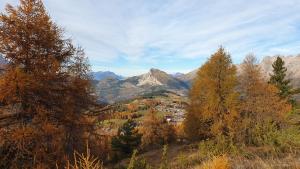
113,88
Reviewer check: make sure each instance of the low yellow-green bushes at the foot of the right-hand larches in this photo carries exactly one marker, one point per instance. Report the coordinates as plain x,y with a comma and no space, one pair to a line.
266,139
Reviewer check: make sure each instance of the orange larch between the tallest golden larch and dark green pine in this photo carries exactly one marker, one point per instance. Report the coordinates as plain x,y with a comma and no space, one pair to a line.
260,104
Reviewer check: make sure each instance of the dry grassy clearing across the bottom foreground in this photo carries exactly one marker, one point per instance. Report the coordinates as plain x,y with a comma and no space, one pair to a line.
193,157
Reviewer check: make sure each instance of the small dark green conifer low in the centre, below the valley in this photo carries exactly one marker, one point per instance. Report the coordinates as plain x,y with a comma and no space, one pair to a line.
127,138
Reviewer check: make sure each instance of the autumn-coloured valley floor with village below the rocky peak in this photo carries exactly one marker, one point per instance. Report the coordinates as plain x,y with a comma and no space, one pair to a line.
170,107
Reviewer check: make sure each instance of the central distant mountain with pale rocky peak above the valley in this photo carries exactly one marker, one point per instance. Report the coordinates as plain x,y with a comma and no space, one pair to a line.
112,89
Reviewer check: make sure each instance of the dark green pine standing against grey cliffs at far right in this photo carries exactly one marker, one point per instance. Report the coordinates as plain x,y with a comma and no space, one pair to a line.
279,79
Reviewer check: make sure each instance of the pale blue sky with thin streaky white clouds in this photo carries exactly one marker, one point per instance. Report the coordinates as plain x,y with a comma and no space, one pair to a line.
131,36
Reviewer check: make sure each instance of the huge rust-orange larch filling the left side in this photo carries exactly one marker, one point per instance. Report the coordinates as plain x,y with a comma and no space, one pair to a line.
45,85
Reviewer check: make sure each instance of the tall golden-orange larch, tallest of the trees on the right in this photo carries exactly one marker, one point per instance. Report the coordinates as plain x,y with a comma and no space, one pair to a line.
213,99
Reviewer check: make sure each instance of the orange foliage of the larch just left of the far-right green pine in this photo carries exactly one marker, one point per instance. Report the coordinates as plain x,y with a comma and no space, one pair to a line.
259,99
